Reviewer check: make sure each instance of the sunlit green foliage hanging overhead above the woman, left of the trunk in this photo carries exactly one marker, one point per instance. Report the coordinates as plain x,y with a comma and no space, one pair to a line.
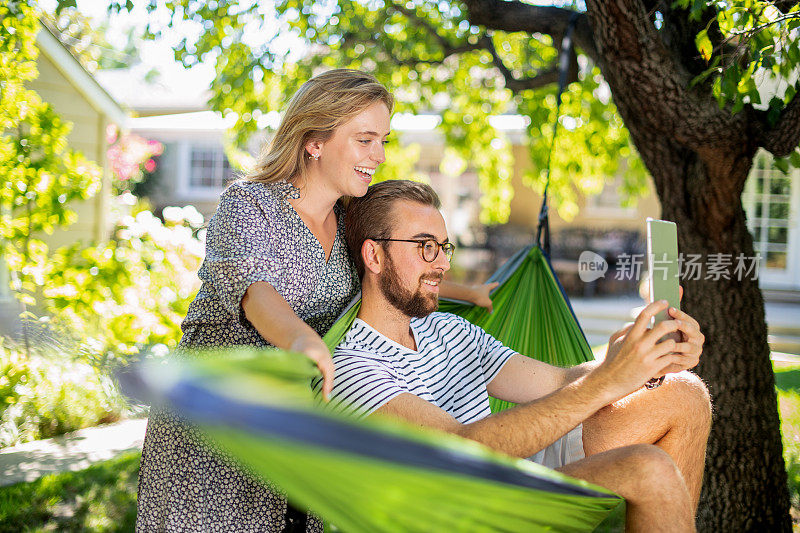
434,60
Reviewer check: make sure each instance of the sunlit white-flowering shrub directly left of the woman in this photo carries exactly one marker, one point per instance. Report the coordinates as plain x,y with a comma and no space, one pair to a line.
130,294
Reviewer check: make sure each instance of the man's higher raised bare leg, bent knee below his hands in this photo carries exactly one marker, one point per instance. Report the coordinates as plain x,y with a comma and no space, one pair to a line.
676,417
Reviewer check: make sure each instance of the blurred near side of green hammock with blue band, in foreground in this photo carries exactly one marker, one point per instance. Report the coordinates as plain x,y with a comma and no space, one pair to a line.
364,475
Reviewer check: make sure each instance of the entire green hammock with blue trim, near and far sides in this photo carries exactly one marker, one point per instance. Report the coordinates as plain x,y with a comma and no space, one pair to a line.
378,475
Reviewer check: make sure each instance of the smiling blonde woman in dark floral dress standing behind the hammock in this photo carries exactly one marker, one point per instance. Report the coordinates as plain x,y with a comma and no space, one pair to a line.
277,272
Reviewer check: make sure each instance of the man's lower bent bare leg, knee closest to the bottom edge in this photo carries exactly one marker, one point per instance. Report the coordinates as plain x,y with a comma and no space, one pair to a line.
647,477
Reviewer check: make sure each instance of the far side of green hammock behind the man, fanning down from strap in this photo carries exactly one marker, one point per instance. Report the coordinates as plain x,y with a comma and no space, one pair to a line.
531,315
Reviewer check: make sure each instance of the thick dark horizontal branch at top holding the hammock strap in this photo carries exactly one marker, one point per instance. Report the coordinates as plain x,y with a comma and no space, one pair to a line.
512,15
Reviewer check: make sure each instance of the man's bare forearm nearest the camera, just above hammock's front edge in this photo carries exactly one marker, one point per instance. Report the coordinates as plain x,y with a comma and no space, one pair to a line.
538,424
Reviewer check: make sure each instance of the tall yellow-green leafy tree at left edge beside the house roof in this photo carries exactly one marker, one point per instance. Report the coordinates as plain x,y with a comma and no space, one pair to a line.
39,175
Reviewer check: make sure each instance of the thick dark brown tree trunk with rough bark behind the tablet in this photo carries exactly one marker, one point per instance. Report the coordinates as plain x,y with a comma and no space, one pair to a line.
699,157
